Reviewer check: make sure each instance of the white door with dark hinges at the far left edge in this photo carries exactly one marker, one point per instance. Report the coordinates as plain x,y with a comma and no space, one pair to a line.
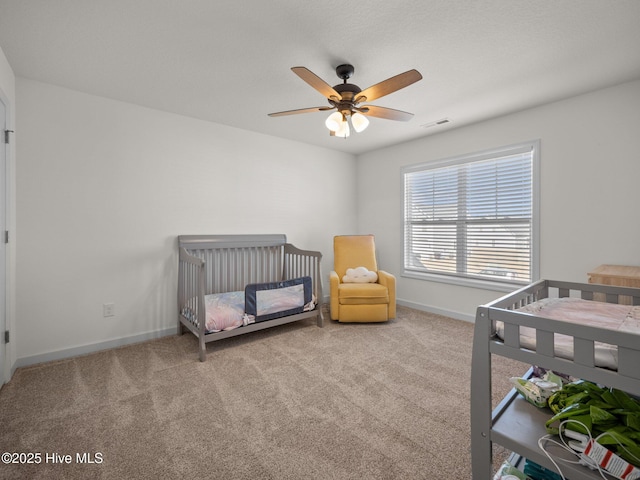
3,227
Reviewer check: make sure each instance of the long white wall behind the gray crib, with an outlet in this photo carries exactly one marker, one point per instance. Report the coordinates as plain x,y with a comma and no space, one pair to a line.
104,188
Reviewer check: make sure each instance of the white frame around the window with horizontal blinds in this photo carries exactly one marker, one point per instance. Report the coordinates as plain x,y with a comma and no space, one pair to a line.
532,146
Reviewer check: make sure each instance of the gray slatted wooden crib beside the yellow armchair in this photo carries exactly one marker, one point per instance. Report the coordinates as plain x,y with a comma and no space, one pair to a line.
211,264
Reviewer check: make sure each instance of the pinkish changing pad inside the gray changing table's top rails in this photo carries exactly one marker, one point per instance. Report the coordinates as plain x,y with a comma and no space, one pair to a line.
625,318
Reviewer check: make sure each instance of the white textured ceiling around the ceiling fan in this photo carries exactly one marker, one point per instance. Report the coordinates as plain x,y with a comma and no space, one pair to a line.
228,61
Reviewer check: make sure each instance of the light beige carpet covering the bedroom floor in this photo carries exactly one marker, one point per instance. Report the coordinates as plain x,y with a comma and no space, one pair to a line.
348,401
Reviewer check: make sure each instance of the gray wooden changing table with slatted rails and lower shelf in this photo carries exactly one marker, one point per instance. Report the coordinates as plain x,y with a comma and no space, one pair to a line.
515,424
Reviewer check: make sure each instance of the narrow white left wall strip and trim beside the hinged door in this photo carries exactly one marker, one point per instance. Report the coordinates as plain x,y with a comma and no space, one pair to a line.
7,91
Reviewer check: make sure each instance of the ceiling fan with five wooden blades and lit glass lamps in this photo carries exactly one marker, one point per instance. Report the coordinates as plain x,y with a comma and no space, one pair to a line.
346,98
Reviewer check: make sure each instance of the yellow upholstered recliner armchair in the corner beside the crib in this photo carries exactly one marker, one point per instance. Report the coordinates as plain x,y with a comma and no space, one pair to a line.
359,302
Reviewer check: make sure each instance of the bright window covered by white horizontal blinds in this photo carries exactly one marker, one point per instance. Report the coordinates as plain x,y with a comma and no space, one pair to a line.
473,218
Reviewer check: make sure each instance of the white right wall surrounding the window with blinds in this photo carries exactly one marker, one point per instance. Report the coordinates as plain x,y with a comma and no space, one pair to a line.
590,193
